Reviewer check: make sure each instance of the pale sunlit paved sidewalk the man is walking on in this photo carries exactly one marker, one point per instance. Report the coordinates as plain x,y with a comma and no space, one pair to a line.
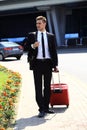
72,118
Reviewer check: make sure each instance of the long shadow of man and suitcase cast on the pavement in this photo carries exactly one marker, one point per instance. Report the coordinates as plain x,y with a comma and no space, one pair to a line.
35,121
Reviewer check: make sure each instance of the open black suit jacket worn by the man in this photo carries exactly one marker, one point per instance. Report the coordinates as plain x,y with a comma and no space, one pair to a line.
32,53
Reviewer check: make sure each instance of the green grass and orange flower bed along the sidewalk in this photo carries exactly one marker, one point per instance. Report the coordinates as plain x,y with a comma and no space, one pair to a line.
9,88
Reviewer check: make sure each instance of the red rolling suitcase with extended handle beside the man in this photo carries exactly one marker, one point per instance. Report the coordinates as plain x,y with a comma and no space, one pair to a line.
59,94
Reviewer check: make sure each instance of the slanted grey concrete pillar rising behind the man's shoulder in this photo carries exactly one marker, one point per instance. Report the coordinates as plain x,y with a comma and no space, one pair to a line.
58,18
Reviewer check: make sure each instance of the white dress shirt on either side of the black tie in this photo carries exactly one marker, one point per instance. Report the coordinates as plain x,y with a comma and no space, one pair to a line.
40,53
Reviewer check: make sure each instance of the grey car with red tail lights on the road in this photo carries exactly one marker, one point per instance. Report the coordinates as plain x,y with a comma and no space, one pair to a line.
10,49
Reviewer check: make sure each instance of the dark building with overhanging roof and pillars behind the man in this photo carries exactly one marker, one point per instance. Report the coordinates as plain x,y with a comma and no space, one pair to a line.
67,19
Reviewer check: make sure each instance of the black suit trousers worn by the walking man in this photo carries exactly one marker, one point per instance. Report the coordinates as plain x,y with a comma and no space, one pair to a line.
42,79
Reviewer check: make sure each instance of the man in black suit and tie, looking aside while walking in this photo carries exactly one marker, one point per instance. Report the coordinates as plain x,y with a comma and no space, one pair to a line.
42,64
